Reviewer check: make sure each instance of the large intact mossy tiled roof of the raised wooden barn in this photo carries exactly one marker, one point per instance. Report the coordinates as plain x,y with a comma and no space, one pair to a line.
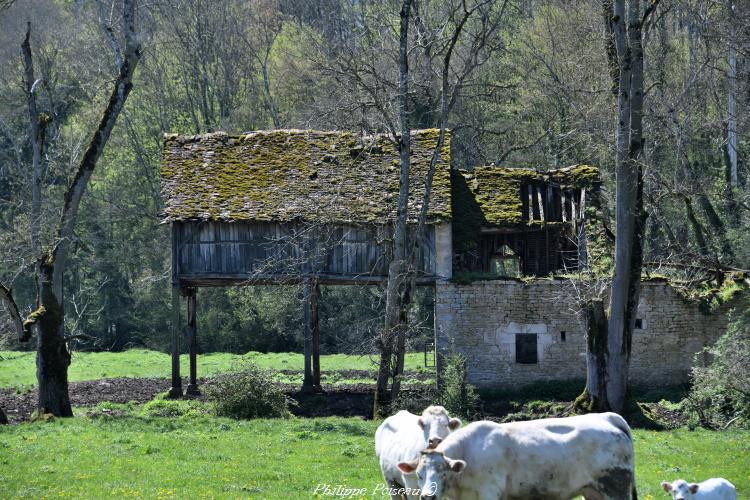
286,175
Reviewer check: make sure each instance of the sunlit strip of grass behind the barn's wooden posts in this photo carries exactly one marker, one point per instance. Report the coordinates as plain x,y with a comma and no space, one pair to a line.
17,369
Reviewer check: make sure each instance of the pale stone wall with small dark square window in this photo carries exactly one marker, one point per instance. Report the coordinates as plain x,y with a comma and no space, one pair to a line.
481,320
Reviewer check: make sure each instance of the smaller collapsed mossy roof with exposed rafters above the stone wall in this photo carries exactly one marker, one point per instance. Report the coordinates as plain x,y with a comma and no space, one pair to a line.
492,195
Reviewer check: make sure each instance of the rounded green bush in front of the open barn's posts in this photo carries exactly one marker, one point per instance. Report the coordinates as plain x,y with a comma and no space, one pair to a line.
247,392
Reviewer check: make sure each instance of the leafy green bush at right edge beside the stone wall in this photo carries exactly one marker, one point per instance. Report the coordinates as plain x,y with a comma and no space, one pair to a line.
720,395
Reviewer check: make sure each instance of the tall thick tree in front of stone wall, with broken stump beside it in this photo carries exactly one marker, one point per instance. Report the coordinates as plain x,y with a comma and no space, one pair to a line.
610,341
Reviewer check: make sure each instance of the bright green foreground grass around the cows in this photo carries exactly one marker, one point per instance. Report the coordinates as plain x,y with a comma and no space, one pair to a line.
201,456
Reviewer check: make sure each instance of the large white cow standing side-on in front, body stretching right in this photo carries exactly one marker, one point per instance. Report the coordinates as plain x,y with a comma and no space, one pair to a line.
553,459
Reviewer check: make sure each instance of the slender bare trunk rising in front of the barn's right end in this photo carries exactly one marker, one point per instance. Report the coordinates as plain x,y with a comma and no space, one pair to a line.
397,267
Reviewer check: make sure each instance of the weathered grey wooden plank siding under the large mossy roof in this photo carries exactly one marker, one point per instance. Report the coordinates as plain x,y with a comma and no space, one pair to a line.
247,250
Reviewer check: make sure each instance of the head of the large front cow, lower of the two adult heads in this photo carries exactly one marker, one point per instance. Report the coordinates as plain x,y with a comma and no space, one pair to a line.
435,473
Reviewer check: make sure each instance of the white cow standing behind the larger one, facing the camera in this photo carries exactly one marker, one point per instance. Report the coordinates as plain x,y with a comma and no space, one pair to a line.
402,437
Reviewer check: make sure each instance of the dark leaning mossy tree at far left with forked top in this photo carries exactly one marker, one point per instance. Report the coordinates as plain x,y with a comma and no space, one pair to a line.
47,321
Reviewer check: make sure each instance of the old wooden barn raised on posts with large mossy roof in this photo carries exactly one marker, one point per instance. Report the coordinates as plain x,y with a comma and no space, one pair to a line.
292,206
